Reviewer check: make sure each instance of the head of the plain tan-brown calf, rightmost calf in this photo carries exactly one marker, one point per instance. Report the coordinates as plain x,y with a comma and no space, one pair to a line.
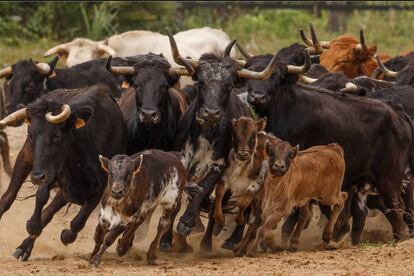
281,154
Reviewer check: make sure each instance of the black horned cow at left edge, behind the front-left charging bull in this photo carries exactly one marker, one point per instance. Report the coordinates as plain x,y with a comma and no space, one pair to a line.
28,80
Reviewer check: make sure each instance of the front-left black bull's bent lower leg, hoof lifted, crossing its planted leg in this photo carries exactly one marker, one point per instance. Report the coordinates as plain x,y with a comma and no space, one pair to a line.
34,224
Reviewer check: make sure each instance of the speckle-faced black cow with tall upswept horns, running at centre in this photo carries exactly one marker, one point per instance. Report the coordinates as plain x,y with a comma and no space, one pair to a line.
205,130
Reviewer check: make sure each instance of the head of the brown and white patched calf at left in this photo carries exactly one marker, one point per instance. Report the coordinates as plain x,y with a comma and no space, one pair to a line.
121,170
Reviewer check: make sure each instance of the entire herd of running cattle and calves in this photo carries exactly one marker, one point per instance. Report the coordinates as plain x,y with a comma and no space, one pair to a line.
264,137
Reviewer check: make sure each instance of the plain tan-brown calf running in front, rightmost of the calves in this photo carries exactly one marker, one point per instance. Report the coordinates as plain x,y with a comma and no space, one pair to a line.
295,177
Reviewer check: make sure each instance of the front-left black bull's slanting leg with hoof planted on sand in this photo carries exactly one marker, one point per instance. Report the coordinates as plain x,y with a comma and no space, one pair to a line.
24,250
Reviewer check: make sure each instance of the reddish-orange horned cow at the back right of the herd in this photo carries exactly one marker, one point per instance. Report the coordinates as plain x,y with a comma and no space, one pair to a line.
346,54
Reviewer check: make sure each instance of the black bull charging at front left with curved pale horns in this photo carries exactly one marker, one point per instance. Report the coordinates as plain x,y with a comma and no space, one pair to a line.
68,129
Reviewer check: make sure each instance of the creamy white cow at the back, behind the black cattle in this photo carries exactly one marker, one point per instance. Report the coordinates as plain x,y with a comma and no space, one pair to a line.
192,43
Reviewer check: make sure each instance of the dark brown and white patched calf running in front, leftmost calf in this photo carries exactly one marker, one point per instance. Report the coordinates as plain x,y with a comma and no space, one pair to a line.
137,184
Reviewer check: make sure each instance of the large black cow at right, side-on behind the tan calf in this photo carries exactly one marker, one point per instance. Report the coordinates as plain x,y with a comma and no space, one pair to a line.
377,138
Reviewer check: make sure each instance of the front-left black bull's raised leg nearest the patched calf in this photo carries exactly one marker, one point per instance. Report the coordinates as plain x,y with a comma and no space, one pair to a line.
78,222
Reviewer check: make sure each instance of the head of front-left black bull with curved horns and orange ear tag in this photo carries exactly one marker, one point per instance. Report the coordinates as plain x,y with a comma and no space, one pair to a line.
51,134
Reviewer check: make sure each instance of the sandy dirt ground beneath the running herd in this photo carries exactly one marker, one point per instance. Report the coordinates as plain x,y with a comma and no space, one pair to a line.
50,257
